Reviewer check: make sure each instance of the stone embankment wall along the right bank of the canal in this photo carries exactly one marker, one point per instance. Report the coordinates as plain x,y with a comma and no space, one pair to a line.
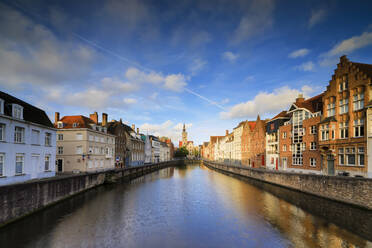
355,191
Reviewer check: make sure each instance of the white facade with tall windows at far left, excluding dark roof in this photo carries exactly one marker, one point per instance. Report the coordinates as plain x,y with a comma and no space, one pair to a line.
27,150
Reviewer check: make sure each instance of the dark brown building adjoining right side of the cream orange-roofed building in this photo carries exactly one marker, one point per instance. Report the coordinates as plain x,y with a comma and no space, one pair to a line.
122,142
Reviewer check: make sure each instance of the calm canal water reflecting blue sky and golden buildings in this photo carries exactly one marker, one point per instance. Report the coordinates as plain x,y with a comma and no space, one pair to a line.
190,206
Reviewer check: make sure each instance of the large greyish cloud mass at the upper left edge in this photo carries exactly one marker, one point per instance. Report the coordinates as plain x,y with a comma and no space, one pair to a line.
31,54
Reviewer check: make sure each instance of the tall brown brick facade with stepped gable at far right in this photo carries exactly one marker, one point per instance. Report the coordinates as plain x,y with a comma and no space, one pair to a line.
342,132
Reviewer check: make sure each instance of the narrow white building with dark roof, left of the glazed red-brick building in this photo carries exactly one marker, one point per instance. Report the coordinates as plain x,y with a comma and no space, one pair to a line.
272,140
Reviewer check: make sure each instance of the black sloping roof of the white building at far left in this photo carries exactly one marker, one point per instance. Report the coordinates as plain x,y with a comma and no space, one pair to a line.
30,113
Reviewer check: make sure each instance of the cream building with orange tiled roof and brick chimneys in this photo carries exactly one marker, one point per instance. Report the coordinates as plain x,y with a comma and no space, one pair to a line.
83,144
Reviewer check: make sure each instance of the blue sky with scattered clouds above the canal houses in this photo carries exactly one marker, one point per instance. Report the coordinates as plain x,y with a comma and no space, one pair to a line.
159,64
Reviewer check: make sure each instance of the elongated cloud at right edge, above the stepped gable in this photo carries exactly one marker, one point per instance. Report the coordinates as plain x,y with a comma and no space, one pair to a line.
351,44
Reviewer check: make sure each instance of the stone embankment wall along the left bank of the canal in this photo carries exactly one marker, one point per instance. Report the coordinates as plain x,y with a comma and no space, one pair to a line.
19,200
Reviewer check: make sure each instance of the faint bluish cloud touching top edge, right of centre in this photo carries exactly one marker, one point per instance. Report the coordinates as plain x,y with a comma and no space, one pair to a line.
257,18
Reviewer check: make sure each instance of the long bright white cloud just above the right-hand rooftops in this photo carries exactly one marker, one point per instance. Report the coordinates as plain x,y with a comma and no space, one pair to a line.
266,103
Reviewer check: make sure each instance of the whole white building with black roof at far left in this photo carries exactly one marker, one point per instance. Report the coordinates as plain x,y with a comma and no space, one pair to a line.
28,142
